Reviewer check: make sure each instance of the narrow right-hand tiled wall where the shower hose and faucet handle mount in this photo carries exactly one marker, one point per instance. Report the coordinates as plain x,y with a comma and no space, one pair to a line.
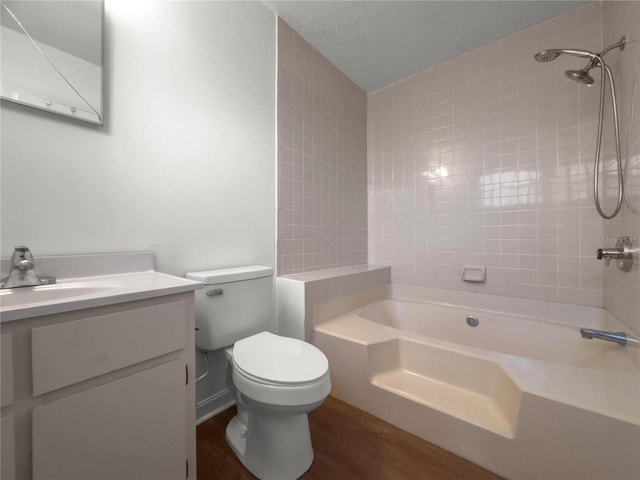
622,289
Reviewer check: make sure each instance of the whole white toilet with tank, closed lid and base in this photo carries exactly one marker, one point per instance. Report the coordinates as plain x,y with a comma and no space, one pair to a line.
276,380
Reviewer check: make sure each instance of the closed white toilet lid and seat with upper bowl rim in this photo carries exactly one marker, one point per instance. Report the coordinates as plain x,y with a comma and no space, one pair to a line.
279,370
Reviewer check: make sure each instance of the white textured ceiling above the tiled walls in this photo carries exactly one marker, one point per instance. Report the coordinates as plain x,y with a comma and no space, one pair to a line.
376,43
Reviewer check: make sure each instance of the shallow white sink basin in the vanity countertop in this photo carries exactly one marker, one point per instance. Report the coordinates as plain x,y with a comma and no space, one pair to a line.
49,293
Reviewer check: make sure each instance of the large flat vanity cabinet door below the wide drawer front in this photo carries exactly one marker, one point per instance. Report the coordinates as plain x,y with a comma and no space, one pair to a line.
132,428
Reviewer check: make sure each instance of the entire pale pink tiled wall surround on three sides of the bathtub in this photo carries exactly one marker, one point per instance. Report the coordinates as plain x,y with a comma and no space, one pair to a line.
484,160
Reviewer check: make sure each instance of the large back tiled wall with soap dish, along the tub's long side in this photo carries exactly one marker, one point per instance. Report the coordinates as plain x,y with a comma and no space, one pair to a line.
487,160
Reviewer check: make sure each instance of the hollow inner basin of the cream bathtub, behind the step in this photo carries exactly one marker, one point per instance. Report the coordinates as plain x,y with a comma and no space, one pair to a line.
540,339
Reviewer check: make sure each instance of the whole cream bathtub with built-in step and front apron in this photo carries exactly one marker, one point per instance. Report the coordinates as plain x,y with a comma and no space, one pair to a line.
521,393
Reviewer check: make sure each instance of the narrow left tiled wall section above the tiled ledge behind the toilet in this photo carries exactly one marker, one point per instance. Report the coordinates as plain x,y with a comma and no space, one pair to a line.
322,182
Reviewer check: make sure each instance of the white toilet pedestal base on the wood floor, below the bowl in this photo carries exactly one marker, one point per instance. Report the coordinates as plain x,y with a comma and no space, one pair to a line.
272,445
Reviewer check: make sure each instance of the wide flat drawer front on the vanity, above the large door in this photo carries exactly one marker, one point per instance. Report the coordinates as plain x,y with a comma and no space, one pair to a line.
71,352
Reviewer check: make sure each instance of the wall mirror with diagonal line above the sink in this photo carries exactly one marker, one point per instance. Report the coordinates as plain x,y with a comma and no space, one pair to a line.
52,56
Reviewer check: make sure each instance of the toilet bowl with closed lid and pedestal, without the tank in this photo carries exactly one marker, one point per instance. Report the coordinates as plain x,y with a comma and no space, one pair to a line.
276,381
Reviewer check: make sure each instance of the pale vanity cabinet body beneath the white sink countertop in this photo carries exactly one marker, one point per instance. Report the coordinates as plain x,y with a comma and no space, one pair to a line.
101,393
